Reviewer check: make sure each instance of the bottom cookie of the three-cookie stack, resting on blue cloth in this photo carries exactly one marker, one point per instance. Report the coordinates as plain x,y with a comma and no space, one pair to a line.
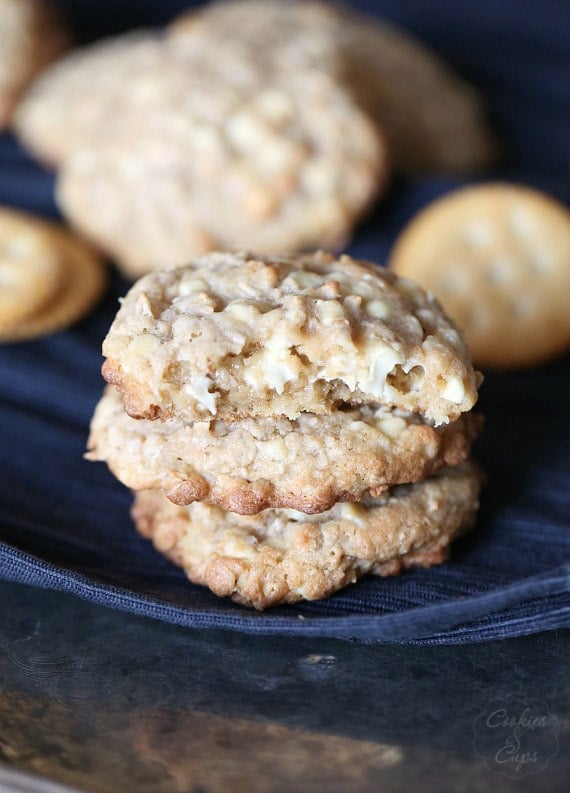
285,556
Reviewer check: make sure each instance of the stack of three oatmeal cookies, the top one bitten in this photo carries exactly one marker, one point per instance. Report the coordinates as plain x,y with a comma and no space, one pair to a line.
289,425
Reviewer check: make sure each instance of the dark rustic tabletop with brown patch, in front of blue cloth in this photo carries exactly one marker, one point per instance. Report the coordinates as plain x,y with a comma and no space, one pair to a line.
107,702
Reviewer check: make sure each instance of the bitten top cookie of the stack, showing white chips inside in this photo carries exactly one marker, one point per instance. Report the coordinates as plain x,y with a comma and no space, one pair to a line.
234,335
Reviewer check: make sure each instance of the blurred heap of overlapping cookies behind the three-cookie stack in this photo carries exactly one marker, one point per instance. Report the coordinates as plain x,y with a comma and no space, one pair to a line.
252,124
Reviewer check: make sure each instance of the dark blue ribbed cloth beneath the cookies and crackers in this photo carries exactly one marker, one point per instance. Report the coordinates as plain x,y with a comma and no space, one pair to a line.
64,522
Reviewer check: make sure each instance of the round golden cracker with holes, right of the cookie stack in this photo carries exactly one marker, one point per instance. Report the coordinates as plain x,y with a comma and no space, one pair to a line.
496,255
